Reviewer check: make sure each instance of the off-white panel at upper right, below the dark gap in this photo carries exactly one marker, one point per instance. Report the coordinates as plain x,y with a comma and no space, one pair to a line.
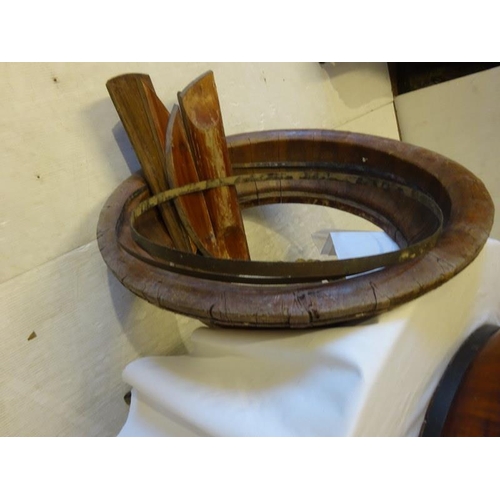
461,120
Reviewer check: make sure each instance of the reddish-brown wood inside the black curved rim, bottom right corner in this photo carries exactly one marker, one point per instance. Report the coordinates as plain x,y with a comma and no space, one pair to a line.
475,410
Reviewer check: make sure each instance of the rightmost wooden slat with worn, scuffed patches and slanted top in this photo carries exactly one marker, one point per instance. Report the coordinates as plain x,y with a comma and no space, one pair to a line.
202,117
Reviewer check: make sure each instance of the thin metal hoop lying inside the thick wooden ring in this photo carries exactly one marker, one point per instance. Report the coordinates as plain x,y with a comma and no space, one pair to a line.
261,272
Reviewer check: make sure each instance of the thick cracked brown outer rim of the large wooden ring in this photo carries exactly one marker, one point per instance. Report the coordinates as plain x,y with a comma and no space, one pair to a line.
466,205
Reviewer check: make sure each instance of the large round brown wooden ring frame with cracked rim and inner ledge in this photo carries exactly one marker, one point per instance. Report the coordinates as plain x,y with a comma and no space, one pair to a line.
466,206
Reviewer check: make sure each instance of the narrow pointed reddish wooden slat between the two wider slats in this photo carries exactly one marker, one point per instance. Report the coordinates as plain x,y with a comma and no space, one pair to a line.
181,170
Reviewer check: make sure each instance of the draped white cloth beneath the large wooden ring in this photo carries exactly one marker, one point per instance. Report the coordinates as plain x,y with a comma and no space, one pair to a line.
372,379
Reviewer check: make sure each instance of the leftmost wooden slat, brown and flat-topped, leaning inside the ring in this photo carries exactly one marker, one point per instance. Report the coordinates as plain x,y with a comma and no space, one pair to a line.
145,120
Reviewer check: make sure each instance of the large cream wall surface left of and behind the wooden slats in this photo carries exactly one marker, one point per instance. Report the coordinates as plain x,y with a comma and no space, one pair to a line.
68,327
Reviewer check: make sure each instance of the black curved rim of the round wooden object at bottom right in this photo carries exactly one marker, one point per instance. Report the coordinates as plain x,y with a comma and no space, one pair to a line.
444,395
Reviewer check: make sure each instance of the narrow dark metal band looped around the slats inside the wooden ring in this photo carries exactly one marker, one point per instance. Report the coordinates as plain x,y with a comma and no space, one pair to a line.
260,272
